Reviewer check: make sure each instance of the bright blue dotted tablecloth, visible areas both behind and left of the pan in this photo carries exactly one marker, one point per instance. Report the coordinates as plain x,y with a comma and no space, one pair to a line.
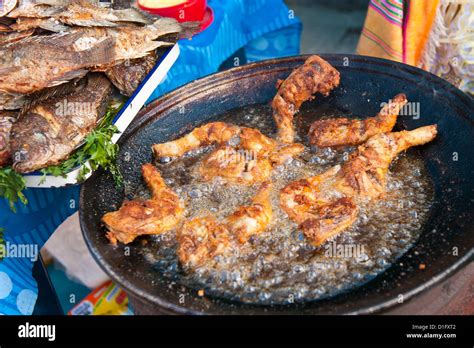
264,28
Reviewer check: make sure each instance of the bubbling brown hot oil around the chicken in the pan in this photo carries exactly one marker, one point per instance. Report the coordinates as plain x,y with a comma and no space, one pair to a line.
279,265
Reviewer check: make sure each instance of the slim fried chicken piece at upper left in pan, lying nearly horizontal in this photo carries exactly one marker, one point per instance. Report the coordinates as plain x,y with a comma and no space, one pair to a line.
210,133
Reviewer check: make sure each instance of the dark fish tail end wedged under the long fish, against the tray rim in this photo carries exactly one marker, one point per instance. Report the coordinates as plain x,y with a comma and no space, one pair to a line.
128,75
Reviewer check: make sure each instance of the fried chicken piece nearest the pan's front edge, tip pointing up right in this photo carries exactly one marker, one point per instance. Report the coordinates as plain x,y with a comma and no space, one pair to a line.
204,238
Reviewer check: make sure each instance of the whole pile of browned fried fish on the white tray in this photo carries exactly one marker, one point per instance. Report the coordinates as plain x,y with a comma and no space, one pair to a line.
59,63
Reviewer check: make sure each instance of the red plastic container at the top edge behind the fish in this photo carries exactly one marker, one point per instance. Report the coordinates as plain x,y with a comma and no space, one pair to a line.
191,10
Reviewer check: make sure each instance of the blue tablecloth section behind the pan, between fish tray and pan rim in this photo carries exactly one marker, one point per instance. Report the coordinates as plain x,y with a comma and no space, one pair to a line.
265,28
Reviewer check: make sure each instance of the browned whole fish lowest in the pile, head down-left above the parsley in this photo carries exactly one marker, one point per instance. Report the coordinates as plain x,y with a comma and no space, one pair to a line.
51,130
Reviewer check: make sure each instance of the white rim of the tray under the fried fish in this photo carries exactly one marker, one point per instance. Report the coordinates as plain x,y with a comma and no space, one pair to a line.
126,116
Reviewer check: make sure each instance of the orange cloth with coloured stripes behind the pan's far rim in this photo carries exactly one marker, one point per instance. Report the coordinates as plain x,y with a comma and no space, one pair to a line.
397,29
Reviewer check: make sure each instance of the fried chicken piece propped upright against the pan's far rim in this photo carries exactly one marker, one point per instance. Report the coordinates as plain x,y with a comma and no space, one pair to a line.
315,75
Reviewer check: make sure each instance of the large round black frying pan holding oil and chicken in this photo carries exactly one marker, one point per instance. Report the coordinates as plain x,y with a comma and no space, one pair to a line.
447,240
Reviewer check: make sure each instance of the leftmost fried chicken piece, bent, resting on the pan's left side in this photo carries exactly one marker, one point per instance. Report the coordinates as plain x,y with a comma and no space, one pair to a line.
138,217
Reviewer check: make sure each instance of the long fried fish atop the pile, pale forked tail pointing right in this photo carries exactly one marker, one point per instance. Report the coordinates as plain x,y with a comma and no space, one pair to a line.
38,62
